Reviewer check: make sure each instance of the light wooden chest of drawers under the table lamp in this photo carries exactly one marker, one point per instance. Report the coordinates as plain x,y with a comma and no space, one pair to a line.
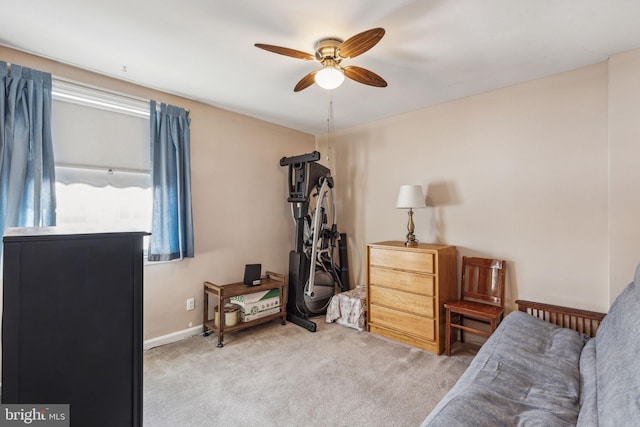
406,290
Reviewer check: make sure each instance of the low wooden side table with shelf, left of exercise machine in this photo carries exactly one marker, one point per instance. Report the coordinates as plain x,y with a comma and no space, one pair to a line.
223,293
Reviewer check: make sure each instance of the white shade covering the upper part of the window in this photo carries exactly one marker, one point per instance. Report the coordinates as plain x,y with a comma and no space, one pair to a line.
100,138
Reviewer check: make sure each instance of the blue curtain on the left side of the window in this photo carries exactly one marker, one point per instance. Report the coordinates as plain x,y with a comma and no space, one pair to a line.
27,172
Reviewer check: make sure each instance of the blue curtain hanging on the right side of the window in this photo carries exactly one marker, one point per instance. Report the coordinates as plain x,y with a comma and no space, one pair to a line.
172,222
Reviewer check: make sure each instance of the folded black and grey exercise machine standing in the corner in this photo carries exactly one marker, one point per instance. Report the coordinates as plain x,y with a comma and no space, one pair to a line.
314,273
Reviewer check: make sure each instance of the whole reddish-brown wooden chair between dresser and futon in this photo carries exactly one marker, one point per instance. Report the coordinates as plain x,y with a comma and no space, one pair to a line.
482,298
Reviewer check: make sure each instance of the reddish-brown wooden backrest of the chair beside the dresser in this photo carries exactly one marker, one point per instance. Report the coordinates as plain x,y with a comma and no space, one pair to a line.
483,280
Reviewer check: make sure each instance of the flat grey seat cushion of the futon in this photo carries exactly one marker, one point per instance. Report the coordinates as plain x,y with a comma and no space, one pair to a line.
525,374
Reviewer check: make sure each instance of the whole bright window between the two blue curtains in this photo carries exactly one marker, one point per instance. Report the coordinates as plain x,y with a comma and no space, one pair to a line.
102,154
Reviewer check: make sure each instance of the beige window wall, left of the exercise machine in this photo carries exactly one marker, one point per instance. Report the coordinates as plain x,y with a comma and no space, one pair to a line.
239,199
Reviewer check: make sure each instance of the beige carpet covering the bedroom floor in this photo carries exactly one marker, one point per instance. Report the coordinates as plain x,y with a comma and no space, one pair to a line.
274,375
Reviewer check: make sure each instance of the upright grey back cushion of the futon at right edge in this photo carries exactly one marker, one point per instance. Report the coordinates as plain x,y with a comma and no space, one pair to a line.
618,359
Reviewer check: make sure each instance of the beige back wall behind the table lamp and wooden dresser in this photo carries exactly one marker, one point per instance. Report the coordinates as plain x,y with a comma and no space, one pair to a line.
519,173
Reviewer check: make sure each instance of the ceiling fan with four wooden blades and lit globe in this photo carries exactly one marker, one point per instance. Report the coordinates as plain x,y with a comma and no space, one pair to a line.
330,52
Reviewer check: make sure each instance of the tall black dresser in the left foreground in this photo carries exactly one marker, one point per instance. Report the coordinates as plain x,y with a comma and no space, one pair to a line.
72,323
